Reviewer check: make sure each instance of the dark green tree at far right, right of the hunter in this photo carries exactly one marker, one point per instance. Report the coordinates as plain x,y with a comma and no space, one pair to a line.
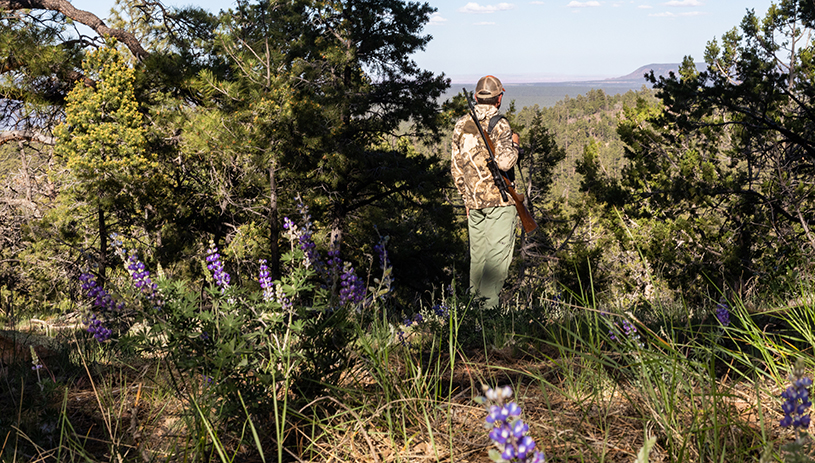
718,180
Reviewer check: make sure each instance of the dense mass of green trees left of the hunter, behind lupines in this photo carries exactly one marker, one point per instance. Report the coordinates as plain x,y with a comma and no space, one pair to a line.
237,114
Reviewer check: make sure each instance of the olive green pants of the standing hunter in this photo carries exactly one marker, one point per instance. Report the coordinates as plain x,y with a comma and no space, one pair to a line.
492,239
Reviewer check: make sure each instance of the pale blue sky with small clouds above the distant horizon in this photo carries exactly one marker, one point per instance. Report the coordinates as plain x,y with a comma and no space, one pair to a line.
524,41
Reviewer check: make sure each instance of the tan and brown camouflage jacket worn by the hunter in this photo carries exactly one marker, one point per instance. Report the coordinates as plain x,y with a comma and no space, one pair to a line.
469,159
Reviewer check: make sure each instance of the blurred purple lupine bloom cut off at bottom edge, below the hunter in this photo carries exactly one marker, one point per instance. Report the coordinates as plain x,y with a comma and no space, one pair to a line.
507,431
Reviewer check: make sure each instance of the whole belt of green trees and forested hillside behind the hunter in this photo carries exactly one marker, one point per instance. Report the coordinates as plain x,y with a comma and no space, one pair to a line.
655,195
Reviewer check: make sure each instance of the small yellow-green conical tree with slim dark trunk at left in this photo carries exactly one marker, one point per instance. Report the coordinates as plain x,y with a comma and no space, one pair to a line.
102,142
